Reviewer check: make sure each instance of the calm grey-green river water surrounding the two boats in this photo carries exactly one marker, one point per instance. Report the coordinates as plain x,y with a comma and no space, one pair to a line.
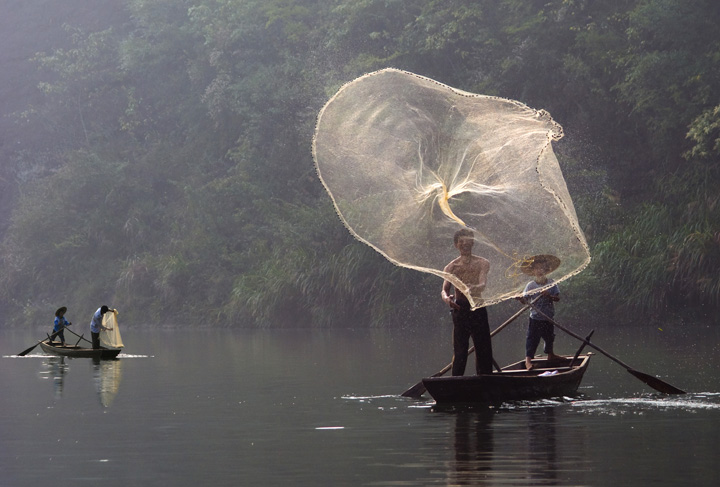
323,407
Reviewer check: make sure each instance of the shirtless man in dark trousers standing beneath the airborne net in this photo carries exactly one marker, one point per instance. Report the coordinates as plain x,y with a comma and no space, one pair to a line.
472,270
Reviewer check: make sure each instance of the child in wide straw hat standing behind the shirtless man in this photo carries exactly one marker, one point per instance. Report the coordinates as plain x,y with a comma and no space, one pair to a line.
538,327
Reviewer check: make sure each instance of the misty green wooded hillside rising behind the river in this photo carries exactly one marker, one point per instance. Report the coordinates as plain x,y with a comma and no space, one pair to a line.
168,173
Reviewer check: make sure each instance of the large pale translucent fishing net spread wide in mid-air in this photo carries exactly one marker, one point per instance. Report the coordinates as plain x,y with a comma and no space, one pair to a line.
408,161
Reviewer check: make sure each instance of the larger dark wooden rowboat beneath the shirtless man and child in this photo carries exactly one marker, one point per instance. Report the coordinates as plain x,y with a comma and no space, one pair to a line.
513,383
